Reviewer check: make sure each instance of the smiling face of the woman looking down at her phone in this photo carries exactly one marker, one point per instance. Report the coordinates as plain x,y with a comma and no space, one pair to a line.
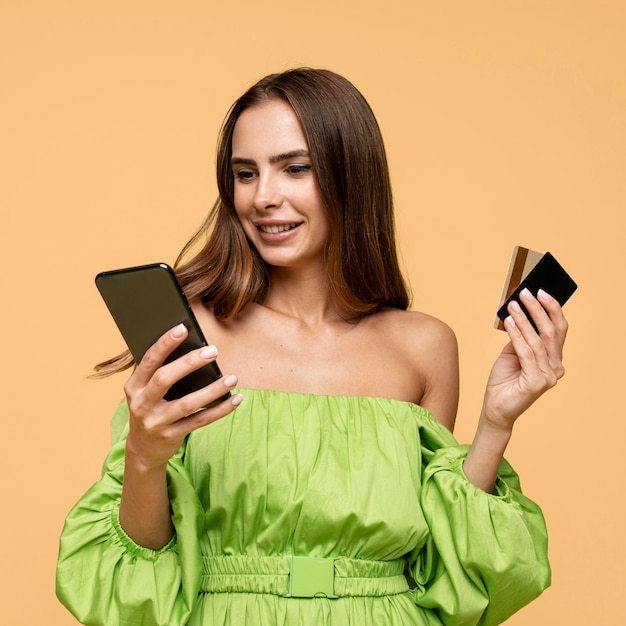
276,194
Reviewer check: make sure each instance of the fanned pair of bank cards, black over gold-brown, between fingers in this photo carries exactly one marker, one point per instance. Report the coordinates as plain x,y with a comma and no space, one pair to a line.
535,271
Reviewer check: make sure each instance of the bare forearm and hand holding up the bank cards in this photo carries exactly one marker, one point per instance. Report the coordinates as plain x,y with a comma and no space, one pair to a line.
529,365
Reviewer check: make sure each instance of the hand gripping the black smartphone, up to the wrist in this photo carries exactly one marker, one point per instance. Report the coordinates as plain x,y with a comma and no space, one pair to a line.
158,427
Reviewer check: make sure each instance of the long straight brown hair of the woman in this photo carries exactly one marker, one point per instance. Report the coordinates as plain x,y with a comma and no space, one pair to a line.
350,164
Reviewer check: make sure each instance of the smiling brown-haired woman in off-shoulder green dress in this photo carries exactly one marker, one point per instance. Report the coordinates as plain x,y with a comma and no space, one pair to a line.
328,489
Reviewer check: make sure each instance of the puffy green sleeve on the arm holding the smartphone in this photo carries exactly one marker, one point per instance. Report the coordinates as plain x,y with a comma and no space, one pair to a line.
103,577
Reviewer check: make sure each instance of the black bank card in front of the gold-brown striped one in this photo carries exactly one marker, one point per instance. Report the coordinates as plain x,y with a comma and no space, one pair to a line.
548,275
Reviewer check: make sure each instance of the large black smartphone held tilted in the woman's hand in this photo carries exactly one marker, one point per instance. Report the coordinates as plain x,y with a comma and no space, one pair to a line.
146,301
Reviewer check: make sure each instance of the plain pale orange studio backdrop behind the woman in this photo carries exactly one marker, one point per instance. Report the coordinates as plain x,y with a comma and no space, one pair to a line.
505,124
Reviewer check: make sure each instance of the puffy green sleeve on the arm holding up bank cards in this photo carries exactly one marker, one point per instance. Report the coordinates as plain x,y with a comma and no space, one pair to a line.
486,554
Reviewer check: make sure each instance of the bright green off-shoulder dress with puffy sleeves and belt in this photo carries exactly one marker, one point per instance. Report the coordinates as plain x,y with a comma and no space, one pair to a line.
309,510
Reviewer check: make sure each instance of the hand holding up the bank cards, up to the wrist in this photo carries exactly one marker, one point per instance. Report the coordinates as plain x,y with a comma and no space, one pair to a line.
530,364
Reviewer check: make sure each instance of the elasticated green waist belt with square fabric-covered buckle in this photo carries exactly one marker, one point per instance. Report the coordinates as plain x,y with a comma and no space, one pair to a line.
303,577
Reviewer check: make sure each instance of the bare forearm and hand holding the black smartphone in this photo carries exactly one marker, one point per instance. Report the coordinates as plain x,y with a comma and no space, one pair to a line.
157,429
